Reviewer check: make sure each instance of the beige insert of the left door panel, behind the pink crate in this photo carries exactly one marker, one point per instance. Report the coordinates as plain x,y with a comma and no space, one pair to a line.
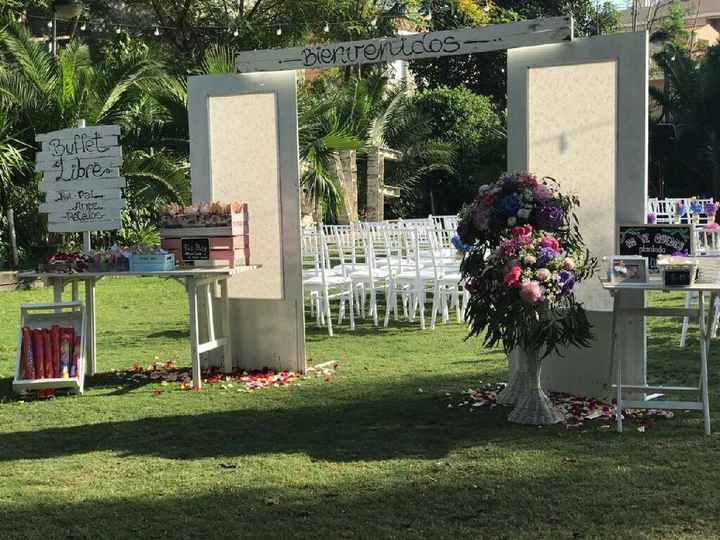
244,166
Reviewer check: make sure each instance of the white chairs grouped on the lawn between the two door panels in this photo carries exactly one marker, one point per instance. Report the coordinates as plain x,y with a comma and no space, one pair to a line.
404,263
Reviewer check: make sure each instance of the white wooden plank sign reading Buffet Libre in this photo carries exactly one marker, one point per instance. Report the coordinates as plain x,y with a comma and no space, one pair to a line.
81,178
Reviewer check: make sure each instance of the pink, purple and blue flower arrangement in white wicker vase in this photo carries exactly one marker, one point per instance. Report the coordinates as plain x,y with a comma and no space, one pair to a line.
527,257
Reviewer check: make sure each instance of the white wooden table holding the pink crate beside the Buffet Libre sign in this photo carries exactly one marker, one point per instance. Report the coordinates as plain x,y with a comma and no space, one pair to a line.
198,281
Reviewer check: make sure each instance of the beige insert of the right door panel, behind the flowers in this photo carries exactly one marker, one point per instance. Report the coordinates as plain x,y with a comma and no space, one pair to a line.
572,134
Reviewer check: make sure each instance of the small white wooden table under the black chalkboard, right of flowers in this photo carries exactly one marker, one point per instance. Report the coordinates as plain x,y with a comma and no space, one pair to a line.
656,284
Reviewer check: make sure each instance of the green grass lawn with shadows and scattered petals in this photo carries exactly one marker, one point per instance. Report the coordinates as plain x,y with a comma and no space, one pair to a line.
374,453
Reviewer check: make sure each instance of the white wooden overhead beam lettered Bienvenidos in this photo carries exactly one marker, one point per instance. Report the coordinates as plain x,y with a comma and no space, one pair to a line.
409,47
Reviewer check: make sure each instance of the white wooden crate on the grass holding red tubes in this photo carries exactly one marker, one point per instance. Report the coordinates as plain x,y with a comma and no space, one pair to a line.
37,316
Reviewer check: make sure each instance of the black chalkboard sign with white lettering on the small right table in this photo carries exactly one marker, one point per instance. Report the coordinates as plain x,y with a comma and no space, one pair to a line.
653,240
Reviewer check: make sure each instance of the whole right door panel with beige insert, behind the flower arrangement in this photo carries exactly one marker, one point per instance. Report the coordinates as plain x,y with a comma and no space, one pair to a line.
578,112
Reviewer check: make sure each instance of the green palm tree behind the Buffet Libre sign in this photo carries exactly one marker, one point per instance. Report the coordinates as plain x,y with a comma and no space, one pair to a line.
43,93
